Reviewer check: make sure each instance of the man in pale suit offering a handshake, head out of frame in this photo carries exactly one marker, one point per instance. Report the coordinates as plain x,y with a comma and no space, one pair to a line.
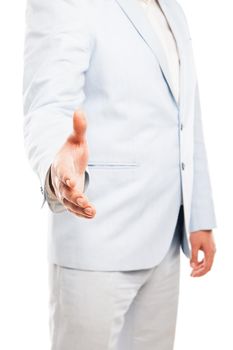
113,129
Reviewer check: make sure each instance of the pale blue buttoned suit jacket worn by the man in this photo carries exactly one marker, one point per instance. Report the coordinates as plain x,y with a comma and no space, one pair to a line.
146,150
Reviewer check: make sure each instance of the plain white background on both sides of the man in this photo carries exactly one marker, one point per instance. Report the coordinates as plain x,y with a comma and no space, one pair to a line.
205,307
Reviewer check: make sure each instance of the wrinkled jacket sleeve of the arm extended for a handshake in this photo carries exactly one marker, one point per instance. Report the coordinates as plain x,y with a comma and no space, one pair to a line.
57,51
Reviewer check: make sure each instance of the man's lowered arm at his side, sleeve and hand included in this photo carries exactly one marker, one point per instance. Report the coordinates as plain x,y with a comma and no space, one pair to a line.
202,210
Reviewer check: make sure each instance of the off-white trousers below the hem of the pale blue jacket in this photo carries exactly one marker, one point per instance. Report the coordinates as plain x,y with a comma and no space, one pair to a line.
116,310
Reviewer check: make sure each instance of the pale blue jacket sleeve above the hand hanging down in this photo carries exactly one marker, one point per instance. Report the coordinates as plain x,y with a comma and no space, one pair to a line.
202,207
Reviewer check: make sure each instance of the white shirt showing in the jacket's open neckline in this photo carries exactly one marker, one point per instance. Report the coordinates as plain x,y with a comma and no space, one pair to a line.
163,31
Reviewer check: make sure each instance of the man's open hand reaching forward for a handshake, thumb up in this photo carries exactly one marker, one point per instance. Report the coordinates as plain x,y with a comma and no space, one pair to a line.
68,170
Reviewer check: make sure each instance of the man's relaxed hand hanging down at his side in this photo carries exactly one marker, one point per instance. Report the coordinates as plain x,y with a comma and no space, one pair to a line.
202,240
